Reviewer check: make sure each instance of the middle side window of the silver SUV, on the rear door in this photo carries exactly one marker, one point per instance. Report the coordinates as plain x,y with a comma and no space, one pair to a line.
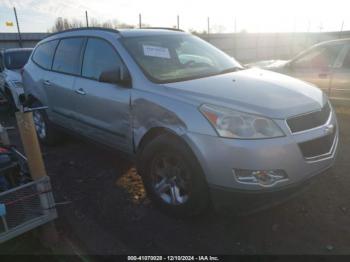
68,56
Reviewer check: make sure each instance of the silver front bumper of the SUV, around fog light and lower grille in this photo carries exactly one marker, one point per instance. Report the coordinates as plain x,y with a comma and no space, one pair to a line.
219,157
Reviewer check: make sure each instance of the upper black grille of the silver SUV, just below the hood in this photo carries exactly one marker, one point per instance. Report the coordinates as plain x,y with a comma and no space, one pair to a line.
308,121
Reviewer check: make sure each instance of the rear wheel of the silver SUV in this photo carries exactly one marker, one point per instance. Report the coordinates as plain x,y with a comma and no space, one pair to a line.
46,132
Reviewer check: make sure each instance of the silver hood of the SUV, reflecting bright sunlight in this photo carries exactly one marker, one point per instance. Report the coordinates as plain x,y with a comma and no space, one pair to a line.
254,91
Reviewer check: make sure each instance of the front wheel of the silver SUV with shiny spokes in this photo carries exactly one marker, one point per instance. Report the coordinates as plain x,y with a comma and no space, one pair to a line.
173,178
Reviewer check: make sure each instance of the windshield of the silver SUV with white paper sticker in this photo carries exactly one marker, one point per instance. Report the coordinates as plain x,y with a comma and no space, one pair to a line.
172,58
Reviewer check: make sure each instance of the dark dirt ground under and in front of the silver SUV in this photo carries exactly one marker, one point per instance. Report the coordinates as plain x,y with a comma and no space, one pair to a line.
102,207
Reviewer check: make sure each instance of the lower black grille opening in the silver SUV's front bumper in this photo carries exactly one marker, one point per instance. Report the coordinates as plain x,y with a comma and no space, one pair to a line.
319,146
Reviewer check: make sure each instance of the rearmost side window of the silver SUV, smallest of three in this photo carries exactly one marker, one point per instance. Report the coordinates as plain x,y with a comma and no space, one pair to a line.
43,54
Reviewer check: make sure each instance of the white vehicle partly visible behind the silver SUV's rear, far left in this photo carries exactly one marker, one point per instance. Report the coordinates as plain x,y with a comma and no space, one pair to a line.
11,63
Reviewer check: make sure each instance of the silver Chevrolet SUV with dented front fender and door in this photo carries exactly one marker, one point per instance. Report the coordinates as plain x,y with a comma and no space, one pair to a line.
200,126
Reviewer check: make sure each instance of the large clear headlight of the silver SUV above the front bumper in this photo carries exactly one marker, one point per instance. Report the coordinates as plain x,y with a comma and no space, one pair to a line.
232,124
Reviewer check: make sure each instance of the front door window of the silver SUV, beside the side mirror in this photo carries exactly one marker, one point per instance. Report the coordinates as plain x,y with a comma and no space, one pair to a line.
99,57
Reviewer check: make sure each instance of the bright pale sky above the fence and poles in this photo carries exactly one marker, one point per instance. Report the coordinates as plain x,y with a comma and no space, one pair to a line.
225,15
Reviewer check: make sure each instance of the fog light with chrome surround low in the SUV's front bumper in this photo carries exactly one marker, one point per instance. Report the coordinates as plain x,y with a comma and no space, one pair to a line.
260,177
